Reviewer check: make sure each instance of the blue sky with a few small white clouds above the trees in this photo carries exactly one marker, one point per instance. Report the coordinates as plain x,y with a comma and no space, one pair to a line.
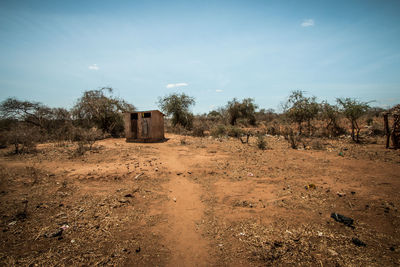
52,51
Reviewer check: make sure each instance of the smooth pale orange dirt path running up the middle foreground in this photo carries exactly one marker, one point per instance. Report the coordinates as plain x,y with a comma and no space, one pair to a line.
184,211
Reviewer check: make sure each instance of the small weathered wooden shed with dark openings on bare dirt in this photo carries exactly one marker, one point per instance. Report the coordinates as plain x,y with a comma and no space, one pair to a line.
144,126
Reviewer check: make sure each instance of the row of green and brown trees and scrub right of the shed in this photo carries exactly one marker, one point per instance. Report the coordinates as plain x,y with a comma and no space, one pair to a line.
298,109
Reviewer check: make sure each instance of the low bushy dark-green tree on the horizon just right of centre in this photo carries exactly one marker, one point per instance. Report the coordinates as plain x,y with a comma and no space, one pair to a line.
242,110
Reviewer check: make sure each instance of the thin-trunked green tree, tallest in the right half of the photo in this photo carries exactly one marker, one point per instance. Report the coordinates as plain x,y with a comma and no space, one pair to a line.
300,108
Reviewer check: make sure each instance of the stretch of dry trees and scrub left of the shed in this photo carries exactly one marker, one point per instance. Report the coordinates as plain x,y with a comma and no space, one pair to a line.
96,114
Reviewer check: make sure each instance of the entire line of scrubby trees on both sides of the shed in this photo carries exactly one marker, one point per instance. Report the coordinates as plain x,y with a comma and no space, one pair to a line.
98,114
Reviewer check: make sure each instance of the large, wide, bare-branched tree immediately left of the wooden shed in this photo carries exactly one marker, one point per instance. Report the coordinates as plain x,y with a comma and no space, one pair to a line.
97,109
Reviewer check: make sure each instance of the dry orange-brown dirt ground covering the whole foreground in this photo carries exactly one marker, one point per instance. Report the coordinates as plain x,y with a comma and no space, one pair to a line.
201,202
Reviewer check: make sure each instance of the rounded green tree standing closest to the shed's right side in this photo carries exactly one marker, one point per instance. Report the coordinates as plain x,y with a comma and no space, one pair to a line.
177,106
